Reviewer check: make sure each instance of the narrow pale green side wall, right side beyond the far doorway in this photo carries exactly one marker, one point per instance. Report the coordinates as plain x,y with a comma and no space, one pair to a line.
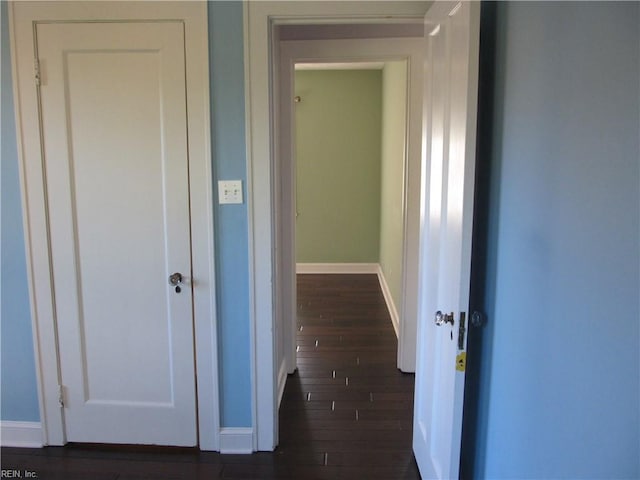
394,94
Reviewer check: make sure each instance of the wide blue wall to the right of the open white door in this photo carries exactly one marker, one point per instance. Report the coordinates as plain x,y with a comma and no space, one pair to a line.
559,395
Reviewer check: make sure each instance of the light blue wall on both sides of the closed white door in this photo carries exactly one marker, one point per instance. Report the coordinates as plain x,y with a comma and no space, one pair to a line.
19,396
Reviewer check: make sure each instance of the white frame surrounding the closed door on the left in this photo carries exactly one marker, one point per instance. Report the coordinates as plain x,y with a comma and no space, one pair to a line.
22,17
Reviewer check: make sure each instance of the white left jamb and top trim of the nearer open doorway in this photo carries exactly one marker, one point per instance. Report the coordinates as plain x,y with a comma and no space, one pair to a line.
260,45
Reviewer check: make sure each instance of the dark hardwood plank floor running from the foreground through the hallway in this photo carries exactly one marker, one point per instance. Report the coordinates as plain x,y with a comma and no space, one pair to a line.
345,414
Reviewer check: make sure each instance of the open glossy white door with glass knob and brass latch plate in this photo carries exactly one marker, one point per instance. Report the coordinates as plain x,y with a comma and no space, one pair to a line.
452,40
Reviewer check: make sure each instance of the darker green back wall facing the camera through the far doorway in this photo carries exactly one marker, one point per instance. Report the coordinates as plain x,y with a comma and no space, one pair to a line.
338,124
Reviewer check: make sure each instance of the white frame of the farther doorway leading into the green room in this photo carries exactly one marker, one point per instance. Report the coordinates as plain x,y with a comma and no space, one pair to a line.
410,50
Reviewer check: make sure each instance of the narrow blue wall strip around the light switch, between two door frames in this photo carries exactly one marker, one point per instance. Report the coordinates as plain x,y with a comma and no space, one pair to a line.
231,227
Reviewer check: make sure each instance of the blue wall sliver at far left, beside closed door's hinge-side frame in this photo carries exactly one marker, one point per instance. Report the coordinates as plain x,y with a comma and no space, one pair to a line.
19,389
